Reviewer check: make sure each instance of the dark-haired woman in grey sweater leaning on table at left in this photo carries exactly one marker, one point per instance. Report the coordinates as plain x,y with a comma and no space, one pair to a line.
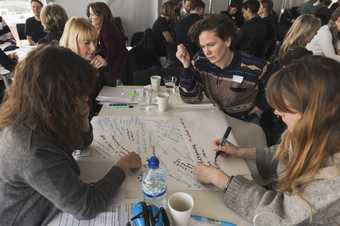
43,119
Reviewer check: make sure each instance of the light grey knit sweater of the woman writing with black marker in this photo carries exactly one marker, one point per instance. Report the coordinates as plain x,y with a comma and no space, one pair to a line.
258,205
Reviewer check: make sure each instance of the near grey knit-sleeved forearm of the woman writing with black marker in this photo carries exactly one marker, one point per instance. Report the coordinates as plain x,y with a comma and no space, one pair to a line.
261,206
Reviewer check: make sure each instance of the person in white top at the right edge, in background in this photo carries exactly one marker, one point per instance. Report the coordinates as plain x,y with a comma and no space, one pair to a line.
326,41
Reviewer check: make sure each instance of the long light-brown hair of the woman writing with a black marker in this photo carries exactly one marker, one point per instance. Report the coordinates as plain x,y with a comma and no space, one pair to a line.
310,87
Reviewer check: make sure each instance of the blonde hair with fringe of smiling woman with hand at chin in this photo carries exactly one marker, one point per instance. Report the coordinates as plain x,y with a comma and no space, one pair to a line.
77,29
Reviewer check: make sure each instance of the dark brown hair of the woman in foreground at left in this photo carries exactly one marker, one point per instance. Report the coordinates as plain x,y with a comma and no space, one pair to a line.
45,93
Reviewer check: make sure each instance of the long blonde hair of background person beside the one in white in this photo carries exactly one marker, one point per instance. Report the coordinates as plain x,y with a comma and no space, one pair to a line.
299,32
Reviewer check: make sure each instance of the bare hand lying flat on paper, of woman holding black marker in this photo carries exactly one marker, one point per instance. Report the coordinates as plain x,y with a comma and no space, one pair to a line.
211,175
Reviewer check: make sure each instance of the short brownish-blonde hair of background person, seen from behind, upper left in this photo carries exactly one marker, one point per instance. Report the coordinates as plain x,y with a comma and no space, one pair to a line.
54,17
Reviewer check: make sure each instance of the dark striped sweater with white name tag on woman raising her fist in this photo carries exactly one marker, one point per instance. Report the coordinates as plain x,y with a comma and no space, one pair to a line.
234,88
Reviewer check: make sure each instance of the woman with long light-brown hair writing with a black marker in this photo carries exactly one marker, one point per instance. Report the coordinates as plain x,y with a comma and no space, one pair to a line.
303,172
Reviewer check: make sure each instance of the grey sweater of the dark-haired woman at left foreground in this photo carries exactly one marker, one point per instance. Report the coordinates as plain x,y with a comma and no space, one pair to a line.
39,178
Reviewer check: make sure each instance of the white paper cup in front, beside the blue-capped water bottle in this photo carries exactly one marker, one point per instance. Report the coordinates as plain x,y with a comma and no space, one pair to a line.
180,205
